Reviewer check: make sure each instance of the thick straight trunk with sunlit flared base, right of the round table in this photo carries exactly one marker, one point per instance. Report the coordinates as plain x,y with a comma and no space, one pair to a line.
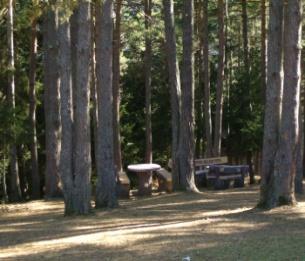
186,149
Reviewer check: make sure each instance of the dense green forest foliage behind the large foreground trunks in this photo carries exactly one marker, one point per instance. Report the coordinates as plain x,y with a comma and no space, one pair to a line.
242,25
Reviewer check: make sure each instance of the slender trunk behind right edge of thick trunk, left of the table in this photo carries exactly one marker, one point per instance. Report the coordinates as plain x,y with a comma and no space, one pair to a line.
116,87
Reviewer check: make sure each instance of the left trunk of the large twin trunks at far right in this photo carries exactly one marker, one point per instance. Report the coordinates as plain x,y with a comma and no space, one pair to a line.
273,100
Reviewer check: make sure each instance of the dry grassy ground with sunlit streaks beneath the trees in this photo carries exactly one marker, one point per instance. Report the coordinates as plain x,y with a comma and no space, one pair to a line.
213,225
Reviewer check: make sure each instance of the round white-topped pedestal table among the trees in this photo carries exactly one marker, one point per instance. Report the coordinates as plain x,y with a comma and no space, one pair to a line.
144,174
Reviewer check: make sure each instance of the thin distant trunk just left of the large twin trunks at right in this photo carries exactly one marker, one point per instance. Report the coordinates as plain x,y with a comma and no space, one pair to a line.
263,48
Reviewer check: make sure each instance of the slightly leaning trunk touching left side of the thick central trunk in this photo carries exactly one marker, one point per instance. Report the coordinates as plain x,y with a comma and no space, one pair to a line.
175,86
